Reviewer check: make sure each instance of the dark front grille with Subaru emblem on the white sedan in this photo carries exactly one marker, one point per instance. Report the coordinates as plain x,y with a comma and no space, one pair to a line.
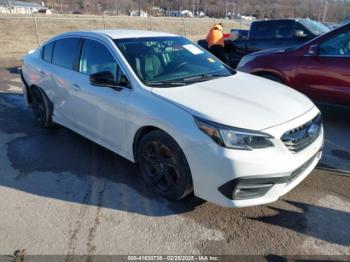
302,136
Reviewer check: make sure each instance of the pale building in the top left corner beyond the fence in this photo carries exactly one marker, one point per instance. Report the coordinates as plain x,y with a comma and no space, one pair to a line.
19,7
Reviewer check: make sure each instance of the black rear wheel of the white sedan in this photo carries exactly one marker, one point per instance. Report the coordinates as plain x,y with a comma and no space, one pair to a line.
41,107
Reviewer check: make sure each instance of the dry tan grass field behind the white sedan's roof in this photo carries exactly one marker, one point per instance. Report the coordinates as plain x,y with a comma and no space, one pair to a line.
19,34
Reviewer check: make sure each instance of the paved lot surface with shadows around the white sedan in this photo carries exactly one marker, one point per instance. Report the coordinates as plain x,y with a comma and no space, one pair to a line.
62,194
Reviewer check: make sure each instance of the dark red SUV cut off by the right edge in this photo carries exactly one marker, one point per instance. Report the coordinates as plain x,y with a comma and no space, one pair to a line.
320,68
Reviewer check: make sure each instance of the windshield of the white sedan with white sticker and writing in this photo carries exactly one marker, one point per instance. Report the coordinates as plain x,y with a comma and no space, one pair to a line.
160,61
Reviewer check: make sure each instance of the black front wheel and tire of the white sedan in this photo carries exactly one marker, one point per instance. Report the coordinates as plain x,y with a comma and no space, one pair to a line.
163,165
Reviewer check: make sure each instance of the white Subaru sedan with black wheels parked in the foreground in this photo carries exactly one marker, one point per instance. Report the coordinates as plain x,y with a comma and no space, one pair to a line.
191,123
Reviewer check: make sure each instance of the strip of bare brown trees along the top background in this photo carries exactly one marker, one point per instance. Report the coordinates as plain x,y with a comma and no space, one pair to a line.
331,10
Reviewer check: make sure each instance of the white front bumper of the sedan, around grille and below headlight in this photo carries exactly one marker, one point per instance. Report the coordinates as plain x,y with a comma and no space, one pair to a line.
217,172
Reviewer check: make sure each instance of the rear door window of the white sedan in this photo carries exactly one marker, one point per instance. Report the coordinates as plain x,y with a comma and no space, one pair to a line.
65,52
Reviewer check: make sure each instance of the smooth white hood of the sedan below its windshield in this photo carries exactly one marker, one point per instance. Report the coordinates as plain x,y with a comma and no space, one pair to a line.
241,100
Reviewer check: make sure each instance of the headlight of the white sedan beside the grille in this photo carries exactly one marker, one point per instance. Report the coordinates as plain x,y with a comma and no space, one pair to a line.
232,137
